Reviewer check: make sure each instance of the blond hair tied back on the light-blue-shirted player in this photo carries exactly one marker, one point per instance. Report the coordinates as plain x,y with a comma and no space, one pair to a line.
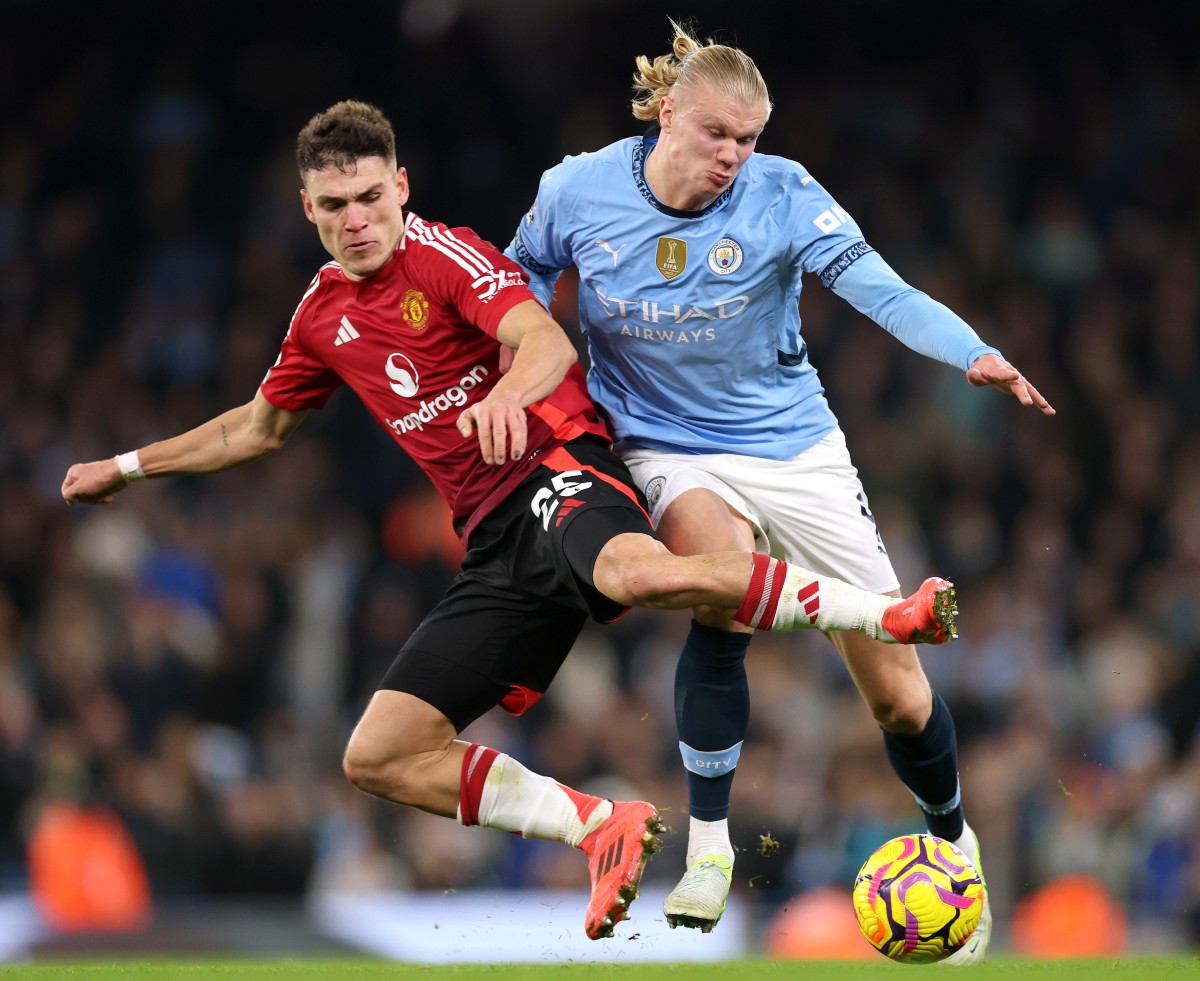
691,65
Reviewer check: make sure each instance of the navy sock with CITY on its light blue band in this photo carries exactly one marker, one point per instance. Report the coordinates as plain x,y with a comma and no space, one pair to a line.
712,715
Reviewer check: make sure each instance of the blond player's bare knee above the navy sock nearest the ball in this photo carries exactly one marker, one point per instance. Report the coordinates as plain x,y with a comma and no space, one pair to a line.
890,678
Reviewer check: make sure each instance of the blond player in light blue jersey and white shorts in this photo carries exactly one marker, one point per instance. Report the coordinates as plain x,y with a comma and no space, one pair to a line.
691,250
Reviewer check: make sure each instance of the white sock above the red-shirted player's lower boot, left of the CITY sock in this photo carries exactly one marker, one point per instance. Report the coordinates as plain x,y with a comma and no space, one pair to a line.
535,807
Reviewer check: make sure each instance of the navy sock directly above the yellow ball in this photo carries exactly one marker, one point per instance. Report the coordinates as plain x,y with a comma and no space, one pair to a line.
928,765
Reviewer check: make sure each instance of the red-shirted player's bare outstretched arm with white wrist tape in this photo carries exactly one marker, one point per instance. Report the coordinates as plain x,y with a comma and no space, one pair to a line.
227,441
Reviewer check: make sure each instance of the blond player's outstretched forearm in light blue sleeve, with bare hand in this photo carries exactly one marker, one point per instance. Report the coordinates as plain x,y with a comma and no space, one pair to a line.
931,328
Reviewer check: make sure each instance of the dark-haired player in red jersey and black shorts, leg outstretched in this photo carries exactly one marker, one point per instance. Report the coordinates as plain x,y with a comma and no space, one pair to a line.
411,315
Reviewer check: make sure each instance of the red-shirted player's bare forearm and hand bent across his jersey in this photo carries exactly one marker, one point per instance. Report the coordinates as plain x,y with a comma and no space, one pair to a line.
544,356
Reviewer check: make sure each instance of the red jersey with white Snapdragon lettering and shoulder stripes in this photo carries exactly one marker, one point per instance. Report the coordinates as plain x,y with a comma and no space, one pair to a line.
417,344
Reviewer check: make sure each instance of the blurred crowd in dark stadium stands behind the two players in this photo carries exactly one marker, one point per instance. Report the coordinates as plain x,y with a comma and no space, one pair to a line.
191,659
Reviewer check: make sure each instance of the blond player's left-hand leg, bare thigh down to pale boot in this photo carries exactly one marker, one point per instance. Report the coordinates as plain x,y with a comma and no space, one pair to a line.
712,701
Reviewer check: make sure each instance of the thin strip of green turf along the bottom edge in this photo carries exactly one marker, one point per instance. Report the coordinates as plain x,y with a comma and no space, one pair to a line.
1127,970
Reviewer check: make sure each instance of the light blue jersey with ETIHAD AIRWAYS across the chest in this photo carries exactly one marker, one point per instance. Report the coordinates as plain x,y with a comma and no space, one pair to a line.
693,317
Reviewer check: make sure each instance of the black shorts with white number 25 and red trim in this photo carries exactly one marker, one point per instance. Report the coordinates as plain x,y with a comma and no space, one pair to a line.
525,592
